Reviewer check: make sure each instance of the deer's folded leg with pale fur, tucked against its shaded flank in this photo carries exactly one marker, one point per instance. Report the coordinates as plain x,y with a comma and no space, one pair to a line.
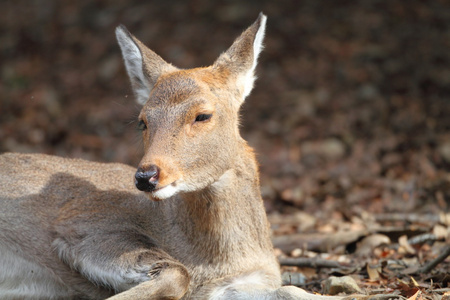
125,261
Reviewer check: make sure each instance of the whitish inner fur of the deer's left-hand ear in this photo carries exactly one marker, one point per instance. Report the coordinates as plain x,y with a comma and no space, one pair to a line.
133,62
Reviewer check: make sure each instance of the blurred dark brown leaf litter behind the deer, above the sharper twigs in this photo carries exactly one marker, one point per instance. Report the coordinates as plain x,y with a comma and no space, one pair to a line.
350,114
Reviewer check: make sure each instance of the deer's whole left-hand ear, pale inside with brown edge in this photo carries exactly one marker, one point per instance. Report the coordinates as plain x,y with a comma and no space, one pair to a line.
144,66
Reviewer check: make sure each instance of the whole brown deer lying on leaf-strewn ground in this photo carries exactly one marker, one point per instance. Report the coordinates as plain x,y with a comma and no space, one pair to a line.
189,223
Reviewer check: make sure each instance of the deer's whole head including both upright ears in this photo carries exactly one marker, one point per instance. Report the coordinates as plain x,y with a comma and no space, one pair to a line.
189,119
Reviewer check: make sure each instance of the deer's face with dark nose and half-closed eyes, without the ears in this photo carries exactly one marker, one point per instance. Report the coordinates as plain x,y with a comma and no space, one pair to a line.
189,128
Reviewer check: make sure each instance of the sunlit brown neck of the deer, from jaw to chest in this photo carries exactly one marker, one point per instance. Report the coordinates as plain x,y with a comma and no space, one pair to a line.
227,216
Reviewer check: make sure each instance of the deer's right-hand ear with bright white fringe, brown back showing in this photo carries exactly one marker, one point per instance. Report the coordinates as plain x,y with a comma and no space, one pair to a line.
241,58
